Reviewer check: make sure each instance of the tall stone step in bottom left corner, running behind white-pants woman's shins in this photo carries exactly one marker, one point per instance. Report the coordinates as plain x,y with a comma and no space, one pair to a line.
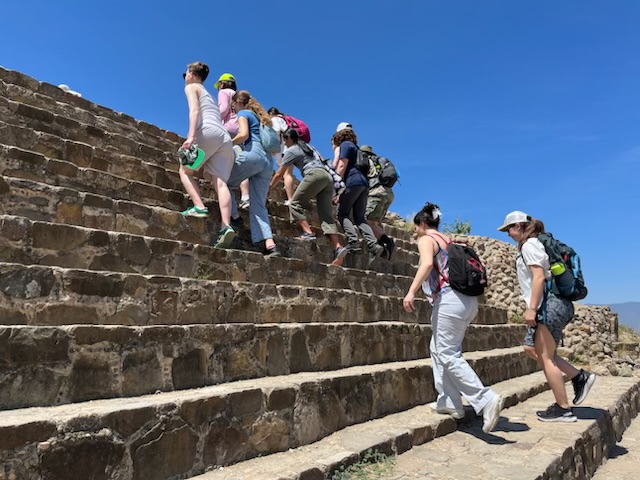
178,434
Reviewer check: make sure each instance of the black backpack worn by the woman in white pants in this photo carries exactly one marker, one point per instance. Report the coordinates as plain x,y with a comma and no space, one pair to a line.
467,275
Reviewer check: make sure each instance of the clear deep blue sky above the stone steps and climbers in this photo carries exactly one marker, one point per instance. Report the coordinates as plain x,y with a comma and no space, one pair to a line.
485,106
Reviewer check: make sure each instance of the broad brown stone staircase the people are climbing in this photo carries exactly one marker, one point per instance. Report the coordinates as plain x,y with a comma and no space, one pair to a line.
131,349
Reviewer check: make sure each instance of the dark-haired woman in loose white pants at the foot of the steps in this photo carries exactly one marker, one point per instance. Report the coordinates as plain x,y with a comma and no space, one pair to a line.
452,314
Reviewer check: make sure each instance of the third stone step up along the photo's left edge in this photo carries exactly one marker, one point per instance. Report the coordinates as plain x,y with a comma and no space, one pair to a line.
44,295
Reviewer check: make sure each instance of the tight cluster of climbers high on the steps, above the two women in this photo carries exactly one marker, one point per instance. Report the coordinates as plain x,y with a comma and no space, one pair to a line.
234,136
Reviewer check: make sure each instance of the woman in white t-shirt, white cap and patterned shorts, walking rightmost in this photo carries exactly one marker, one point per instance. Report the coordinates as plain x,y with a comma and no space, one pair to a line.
546,316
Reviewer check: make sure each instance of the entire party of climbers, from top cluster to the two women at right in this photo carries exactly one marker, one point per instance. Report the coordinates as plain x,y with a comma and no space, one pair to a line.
356,181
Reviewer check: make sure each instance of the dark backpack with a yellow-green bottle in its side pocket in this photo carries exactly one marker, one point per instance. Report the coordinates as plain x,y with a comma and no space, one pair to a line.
569,284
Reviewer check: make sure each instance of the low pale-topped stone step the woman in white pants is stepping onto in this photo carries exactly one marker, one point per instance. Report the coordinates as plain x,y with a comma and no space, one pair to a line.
393,434
